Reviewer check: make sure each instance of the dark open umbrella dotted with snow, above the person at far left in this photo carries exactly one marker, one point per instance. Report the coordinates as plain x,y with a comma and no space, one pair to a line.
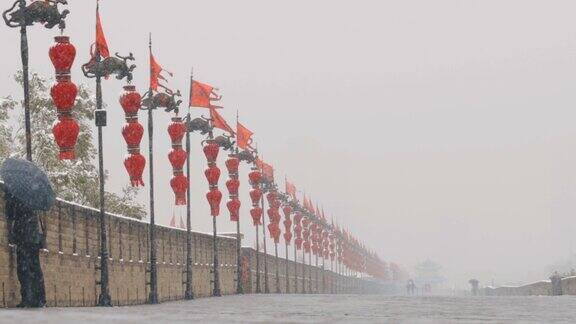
25,181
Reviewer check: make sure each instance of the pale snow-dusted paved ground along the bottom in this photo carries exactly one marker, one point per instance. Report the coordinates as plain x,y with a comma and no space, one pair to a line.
317,308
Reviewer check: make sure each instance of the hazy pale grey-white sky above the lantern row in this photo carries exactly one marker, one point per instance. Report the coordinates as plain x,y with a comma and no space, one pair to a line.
433,129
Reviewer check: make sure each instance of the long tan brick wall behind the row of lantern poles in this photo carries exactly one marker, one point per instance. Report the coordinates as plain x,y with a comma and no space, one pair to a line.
71,256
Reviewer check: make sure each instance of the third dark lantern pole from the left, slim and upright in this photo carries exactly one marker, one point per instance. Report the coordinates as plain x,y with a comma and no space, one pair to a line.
153,297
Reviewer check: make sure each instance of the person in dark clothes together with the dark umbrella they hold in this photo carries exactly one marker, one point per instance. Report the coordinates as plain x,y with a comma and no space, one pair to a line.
27,189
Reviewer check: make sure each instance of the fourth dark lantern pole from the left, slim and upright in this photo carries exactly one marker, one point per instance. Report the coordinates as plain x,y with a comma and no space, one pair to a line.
189,294
